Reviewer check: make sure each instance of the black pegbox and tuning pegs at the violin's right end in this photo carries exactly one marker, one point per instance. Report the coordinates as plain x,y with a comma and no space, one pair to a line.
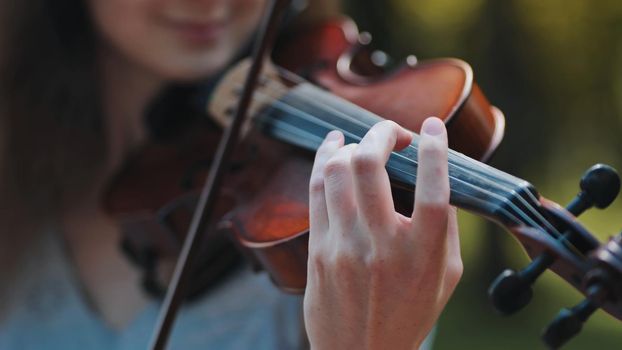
592,268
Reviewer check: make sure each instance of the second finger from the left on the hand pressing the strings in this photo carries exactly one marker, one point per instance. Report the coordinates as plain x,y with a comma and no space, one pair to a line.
338,188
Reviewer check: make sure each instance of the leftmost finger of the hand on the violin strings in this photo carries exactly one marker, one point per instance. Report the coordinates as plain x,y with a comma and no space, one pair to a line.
318,216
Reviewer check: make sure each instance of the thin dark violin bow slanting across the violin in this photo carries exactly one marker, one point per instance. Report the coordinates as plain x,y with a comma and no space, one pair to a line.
202,214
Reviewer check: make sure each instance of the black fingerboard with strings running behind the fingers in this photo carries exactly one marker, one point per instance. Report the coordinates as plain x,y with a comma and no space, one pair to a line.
306,114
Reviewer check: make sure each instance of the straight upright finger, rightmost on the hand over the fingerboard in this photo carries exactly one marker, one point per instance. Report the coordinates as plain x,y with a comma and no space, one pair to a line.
432,190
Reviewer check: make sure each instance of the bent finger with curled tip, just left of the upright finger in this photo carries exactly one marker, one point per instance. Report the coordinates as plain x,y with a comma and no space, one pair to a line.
372,186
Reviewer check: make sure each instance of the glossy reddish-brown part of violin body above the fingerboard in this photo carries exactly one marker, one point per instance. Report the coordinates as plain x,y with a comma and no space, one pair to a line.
337,57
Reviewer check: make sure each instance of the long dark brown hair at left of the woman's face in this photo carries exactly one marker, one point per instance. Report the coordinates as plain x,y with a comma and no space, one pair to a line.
49,102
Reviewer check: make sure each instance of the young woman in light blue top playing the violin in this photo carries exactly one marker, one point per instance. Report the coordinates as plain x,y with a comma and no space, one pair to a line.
76,81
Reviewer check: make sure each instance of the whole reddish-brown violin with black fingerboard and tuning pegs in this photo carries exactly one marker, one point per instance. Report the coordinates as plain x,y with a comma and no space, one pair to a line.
327,79
